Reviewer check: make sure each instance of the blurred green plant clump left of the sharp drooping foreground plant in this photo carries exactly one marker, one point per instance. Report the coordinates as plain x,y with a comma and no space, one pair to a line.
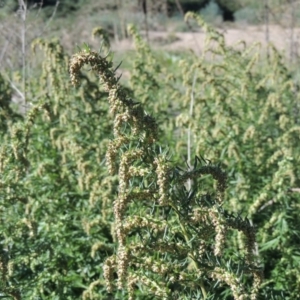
51,175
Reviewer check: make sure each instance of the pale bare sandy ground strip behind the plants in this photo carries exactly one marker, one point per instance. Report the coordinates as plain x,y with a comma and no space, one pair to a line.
194,41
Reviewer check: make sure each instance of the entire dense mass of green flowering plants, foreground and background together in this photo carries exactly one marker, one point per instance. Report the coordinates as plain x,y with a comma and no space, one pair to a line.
183,185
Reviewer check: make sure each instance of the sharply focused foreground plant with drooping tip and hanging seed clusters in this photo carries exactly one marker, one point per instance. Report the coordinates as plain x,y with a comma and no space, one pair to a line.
167,236
